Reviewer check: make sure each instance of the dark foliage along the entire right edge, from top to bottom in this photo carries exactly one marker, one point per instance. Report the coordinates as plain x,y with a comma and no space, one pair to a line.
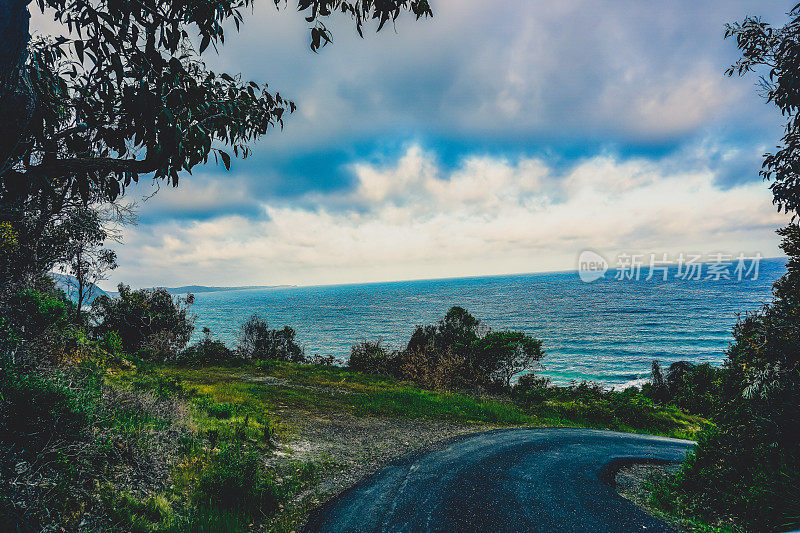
745,470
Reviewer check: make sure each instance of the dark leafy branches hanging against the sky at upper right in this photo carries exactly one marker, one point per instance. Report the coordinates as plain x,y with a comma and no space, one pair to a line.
778,51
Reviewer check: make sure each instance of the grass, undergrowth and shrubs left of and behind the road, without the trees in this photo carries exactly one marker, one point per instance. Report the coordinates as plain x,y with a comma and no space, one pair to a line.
170,443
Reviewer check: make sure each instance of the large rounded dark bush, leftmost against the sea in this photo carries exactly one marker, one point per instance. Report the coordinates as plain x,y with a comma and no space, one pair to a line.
150,322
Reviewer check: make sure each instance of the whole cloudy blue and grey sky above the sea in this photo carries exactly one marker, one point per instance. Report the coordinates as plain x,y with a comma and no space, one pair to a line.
498,137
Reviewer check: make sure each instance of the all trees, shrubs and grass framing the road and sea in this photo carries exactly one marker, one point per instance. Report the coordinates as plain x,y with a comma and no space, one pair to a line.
109,422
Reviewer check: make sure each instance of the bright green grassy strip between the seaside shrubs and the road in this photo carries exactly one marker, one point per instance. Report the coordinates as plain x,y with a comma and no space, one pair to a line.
258,390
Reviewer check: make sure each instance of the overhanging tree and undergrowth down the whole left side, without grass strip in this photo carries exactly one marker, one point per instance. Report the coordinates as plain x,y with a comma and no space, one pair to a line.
124,93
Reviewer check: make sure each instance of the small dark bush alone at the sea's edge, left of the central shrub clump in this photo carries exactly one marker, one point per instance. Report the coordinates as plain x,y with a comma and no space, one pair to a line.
258,341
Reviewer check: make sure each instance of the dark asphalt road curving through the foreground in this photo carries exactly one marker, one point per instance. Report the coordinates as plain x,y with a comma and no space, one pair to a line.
537,479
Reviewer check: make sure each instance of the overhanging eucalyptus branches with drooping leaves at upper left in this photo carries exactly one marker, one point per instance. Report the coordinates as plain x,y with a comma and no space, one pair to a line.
125,93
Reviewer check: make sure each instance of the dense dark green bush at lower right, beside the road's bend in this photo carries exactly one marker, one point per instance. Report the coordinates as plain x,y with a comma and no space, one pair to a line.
745,470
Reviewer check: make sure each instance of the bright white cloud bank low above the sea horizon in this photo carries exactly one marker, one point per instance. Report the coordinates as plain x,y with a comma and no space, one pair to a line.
414,218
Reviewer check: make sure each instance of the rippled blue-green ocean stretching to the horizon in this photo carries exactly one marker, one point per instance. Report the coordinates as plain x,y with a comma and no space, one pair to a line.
608,331
